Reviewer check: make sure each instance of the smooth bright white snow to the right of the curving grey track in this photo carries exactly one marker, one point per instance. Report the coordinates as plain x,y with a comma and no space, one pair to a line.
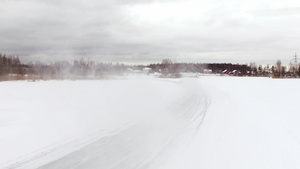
251,123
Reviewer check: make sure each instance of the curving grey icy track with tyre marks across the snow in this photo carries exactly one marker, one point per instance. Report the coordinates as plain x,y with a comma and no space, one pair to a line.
147,143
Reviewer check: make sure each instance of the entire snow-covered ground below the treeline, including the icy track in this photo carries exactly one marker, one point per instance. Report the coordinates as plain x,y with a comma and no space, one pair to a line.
145,122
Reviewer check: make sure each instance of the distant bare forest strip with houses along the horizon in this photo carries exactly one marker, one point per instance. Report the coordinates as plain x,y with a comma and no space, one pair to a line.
11,68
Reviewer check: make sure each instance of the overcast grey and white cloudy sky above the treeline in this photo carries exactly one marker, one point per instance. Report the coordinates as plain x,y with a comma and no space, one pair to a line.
144,31
